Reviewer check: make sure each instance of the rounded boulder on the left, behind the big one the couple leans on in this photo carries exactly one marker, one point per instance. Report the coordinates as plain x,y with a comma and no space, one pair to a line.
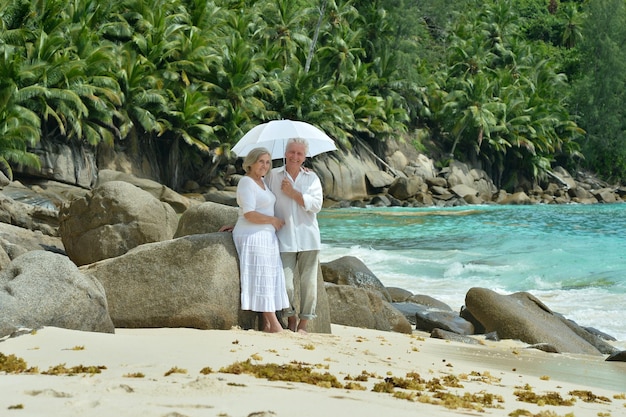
115,217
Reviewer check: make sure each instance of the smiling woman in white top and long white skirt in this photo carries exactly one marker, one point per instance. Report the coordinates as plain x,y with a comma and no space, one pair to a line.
261,271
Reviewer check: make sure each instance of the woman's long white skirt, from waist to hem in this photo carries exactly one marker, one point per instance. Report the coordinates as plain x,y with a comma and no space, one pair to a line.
261,272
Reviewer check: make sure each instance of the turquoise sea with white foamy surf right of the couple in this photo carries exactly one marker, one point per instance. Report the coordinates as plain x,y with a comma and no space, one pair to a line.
572,257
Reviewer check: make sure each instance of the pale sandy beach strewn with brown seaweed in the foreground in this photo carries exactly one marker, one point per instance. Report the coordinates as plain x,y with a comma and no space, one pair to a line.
188,372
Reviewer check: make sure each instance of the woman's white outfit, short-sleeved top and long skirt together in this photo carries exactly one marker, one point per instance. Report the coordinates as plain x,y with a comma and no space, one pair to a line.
261,270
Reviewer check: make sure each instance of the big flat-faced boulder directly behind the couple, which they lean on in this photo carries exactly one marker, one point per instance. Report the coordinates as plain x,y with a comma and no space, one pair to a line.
191,281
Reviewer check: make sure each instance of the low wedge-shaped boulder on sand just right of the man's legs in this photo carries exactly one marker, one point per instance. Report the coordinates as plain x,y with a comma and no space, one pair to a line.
360,307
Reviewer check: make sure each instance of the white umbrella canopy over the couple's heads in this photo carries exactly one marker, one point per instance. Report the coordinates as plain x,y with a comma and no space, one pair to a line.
274,135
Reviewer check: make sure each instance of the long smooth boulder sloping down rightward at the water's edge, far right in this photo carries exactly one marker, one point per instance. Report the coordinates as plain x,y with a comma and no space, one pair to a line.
523,317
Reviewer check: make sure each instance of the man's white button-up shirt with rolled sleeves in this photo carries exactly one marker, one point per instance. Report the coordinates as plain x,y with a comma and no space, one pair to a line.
301,231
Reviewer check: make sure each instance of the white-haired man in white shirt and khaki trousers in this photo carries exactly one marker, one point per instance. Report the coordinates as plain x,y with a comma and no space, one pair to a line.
299,198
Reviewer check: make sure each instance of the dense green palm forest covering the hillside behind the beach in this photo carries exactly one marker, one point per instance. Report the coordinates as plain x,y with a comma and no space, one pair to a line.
512,86
